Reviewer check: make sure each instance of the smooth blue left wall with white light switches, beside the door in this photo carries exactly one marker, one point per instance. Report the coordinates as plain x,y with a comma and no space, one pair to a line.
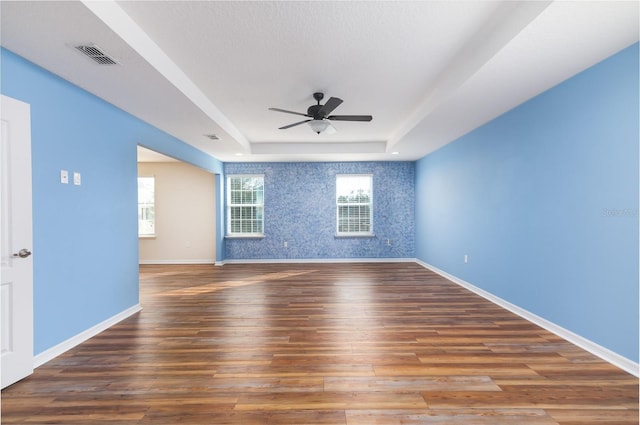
85,248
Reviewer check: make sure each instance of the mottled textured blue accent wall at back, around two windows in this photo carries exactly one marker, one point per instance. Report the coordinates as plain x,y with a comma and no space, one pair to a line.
300,209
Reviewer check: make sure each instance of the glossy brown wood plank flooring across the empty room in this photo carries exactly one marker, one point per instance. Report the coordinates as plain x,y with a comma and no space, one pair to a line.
305,344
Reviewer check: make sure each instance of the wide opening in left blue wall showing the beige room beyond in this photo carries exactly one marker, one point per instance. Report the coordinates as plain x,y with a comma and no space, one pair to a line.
177,204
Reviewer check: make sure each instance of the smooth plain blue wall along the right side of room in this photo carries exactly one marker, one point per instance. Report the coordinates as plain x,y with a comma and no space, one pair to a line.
544,201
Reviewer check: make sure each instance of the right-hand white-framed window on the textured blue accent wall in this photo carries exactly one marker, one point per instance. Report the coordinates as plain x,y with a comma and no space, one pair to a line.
354,204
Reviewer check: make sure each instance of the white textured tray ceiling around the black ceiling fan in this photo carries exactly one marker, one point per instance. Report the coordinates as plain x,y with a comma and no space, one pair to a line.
427,71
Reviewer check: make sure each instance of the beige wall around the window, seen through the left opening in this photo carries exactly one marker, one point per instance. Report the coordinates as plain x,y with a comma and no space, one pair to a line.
185,214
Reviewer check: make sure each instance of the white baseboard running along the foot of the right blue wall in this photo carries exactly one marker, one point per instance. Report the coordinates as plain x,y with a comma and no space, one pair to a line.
584,343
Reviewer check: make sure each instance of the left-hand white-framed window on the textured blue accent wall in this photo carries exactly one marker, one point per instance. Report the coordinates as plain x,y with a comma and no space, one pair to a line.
245,205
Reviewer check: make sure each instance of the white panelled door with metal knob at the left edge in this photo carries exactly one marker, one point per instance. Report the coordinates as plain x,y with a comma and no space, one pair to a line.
16,294
